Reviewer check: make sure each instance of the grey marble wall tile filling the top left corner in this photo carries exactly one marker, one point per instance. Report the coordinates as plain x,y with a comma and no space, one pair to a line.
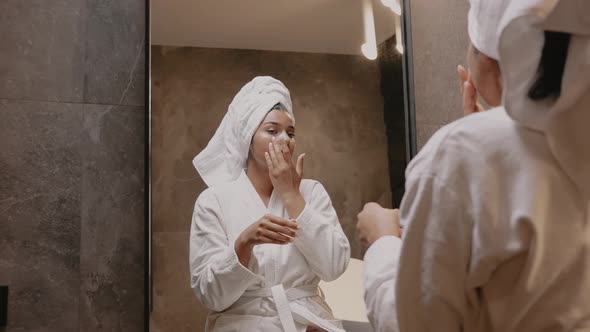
42,53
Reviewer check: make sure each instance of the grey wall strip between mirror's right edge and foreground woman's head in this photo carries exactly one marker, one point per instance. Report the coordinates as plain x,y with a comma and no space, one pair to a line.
440,40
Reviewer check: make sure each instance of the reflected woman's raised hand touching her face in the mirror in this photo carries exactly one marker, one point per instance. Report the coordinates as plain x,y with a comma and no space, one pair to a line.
284,175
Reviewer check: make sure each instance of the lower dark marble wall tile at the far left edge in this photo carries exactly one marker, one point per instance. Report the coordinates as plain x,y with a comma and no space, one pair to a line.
40,177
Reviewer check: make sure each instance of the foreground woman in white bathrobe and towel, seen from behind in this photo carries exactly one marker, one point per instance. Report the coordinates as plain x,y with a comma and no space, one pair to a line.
496,212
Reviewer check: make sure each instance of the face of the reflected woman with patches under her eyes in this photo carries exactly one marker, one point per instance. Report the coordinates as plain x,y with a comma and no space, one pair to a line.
277,124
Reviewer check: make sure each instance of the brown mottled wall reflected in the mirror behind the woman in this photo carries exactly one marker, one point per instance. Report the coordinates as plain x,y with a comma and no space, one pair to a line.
340,126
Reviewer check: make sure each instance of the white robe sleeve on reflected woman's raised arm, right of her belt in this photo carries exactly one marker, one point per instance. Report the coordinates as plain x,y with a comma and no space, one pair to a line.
320,237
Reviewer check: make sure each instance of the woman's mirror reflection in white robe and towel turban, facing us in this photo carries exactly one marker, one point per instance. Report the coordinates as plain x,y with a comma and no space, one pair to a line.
261,237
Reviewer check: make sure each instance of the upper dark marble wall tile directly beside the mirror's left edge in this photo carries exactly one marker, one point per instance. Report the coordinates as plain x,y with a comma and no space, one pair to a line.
115,53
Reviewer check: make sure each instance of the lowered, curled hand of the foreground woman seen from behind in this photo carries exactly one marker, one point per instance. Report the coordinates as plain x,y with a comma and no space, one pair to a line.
374,222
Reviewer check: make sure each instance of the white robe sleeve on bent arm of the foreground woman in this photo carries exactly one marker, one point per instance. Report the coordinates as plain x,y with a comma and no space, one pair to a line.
429,292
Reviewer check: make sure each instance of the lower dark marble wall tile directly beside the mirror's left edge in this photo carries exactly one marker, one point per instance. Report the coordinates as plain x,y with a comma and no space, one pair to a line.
112,229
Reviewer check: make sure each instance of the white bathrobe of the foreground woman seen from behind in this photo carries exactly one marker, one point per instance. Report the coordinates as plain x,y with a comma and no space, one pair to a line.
496,237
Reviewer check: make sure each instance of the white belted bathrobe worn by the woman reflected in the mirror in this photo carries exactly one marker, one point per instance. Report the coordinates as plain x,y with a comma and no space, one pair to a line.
246,299
